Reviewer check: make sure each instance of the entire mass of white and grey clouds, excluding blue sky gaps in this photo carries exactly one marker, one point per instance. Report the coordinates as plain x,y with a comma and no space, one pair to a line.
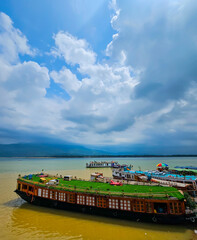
144,92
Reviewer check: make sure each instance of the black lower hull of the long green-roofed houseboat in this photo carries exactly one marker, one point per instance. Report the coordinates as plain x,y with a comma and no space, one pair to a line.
140,217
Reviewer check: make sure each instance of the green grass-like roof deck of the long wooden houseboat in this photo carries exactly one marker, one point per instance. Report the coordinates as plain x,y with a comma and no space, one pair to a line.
143,191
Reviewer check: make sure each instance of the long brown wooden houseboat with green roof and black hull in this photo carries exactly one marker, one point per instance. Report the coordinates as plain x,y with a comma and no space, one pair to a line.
143,203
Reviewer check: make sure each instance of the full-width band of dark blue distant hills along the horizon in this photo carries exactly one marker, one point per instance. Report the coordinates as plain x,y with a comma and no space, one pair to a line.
72,150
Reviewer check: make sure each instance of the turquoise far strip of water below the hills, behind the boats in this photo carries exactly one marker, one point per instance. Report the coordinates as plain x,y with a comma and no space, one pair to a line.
19,165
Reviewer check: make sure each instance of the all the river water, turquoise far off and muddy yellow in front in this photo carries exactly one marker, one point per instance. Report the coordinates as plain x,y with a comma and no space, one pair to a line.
20,220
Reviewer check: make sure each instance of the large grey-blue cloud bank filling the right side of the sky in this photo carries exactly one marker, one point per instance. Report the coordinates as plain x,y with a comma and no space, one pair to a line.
159,39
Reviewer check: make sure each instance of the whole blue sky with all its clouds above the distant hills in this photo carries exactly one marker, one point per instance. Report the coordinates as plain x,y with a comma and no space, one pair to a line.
100,73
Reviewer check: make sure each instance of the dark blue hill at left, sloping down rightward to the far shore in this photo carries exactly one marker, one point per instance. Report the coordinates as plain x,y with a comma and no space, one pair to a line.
45,150
